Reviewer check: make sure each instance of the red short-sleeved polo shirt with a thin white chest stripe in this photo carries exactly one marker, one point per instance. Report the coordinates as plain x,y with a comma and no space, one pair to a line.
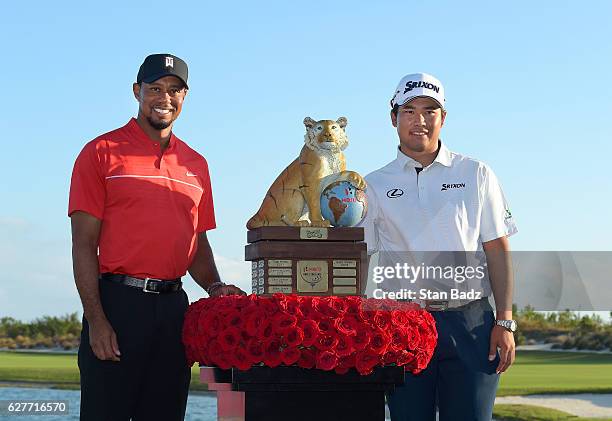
152,204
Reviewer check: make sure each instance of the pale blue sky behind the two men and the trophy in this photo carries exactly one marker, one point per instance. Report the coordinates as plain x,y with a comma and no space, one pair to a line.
527,84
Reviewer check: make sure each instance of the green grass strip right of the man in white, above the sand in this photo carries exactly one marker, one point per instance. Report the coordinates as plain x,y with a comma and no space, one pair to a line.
537,372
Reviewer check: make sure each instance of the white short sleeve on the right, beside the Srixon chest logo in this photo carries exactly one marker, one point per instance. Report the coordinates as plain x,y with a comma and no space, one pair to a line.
496,220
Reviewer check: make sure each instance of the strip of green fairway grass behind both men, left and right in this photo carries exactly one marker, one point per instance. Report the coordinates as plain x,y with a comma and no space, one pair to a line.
533,372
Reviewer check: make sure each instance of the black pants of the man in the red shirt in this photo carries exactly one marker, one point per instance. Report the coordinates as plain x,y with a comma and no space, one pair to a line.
151,381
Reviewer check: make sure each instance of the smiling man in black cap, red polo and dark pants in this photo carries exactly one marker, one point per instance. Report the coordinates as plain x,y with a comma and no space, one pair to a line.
140,206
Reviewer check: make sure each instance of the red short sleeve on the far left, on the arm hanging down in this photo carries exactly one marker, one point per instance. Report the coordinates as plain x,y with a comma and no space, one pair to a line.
87,186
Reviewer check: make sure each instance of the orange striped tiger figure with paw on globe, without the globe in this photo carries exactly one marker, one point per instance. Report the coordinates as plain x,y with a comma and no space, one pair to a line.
294,197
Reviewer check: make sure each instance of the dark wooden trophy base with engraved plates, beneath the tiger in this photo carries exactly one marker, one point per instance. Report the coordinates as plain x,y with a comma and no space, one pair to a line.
307,260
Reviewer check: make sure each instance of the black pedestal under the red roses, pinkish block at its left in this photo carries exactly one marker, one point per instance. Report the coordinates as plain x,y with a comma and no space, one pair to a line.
296,394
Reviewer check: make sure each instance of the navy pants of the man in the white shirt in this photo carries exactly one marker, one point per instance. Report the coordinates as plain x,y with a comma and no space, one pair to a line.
460,380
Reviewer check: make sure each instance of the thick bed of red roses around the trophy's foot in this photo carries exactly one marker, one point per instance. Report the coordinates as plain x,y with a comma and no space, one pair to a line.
329,333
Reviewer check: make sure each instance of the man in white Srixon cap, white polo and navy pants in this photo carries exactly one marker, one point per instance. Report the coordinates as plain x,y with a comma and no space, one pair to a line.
430,199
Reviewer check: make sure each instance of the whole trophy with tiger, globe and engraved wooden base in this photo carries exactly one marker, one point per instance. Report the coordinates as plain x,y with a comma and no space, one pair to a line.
293,246
